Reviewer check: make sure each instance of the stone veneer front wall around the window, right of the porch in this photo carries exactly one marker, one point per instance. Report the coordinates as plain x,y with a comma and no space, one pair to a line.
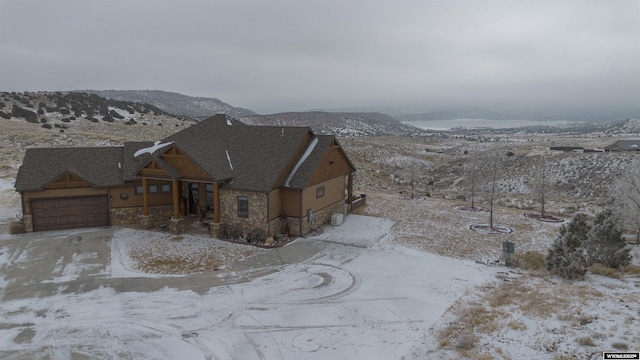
257,210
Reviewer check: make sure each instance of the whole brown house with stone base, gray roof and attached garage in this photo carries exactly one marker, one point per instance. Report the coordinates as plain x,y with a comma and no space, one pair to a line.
253,179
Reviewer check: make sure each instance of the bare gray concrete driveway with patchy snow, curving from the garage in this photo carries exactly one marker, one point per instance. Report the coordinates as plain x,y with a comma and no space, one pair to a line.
44,263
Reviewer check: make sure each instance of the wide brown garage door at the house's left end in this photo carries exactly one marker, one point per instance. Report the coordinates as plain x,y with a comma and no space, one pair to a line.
69,213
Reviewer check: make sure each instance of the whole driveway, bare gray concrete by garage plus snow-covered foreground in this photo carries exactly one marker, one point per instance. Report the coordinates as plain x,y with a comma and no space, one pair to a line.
347,293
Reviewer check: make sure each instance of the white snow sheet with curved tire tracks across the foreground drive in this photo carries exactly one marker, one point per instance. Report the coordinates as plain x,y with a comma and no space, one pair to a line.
360,298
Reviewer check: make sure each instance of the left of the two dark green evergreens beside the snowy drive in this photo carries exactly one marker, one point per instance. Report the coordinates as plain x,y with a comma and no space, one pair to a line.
566,257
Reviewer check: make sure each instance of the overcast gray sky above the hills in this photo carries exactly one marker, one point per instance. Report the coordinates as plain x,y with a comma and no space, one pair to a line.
272,56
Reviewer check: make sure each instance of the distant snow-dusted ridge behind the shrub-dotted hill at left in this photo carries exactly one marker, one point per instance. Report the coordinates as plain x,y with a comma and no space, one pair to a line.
196,108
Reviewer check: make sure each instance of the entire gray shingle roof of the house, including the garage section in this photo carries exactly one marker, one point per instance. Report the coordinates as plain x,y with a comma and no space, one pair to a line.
257,156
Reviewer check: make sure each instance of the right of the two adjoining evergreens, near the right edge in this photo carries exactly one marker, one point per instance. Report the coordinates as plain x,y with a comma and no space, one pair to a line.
605,244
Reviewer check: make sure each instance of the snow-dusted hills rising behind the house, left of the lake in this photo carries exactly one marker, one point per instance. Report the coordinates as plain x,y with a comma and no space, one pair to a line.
68,110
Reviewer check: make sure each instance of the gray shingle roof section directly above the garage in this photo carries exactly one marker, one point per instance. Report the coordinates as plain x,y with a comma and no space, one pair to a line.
97,165
